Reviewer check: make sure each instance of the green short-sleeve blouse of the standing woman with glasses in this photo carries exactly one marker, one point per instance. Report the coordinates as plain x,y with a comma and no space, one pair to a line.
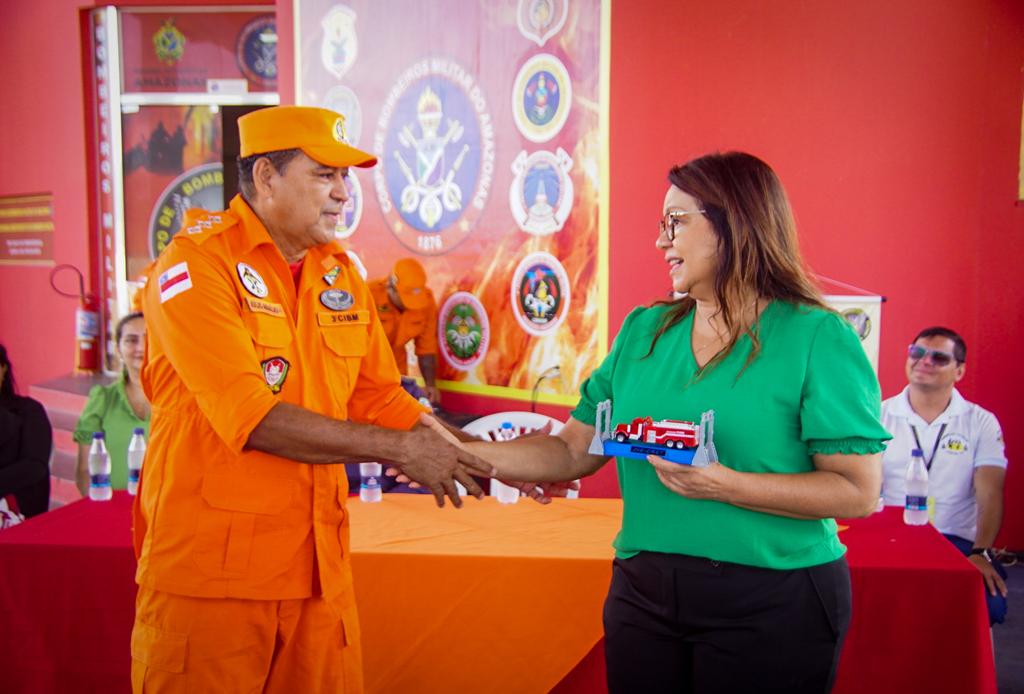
810,391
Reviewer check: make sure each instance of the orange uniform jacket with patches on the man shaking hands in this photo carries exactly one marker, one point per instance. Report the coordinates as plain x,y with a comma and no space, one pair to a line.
230,336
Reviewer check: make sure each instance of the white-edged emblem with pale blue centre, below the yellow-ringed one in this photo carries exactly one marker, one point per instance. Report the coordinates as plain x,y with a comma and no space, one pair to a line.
541,195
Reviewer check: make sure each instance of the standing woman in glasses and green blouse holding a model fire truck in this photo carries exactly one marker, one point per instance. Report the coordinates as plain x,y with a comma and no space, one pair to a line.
729,578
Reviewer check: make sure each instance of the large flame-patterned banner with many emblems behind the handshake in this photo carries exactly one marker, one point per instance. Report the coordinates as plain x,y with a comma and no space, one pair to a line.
487,119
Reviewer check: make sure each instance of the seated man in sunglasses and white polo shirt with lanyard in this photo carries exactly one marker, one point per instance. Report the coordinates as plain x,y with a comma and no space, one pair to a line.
964,452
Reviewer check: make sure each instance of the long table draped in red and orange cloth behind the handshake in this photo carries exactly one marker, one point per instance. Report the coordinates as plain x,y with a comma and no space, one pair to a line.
486,599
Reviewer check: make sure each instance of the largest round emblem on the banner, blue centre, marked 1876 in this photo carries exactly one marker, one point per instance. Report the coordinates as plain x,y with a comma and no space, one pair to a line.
438,156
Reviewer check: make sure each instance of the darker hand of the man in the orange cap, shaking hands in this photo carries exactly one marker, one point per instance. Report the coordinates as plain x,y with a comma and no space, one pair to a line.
436,461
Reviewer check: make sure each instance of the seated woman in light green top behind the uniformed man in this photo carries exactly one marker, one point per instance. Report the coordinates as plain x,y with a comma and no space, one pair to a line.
116,410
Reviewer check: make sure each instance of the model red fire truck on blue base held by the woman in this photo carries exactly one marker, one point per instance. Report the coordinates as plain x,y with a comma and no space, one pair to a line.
675,441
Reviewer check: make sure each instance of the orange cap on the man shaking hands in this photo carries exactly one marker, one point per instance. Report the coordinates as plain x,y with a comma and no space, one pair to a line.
319,133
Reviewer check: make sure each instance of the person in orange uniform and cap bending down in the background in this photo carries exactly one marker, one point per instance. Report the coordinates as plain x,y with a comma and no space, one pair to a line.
408,312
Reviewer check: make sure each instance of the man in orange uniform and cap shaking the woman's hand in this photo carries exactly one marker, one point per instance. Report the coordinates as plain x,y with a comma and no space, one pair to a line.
268,369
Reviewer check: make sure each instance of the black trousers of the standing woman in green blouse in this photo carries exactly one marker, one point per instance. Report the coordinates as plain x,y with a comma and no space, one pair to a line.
678,624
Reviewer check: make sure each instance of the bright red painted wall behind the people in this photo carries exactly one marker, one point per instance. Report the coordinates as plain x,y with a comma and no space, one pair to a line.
895,127
